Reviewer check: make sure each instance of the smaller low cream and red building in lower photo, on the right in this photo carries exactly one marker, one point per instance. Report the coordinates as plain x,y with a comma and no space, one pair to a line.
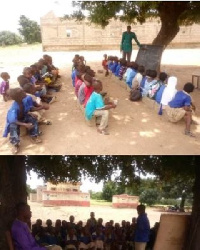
125,201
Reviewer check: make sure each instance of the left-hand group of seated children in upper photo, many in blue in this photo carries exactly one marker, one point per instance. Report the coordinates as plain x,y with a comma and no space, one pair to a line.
37,84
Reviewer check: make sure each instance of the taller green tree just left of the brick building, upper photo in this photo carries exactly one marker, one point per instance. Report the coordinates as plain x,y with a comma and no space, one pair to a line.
30,30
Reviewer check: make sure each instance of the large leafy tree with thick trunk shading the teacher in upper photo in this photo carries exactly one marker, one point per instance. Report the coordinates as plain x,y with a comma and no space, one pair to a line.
171,14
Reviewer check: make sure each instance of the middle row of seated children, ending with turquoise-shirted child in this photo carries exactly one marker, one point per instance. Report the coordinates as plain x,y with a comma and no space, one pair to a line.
90,95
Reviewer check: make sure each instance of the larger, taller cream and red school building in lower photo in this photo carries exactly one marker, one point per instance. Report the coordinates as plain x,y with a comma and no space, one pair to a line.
61,194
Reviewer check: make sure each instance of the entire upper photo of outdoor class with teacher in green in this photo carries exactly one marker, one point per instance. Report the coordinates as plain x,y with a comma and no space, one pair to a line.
100,78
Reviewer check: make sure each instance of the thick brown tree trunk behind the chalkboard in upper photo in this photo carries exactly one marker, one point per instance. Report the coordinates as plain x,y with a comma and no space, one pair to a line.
169,13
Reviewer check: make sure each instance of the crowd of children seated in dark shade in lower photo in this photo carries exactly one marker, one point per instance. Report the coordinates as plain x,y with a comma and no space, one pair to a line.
93,235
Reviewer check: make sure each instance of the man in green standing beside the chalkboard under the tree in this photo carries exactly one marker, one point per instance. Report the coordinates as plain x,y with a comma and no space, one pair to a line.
126,43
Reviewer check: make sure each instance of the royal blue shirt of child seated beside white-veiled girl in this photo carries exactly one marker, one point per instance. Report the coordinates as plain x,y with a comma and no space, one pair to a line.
180,100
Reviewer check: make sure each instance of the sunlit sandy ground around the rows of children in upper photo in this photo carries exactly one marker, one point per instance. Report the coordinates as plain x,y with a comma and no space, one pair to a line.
134,128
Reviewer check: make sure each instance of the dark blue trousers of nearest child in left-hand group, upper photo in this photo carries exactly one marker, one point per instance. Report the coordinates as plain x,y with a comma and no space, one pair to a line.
15,129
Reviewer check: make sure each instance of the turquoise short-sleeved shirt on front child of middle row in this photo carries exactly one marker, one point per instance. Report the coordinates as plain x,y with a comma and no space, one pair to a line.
95,102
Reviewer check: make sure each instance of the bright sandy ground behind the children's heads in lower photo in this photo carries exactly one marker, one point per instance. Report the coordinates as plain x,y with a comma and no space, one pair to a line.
83,213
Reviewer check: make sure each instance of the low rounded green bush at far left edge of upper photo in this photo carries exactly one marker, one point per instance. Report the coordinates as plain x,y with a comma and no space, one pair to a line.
9,38
